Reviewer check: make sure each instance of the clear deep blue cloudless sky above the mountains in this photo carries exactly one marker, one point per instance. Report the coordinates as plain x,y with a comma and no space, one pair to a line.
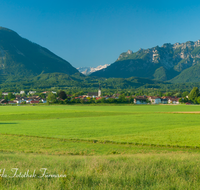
96,32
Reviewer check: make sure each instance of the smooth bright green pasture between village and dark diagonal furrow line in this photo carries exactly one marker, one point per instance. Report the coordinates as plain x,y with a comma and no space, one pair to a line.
158,125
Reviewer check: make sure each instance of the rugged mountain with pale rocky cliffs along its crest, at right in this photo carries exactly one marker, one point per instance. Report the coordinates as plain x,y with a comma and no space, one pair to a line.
179,62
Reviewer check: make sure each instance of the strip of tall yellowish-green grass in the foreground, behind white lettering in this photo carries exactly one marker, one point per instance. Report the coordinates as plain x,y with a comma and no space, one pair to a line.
157,171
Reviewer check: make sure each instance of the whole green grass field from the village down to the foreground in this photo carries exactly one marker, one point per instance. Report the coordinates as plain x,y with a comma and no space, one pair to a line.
102,147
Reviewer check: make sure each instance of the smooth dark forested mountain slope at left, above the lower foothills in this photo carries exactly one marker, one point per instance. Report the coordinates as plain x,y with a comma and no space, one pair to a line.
20,57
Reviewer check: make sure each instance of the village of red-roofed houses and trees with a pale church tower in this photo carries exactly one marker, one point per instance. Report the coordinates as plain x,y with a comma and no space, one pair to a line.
13,98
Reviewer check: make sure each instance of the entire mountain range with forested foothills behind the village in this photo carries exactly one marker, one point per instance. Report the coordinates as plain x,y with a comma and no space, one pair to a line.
24,64
